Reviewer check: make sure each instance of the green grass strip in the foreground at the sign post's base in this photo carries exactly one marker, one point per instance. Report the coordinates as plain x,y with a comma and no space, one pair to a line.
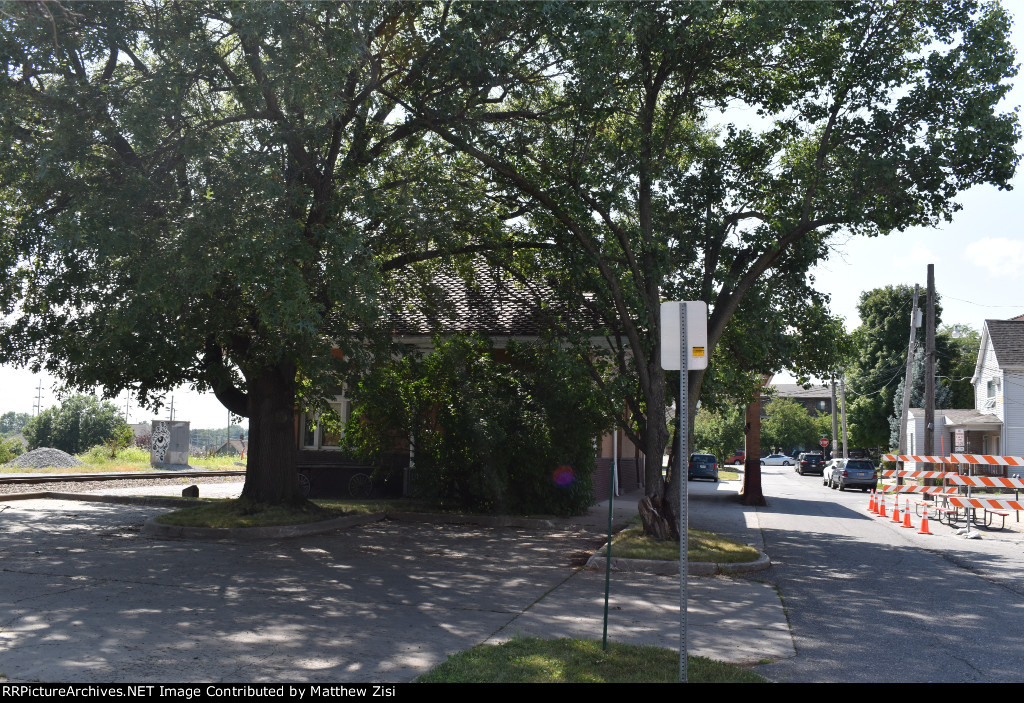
529,661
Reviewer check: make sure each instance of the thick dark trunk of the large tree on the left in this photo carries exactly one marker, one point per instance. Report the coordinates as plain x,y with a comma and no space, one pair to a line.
271,469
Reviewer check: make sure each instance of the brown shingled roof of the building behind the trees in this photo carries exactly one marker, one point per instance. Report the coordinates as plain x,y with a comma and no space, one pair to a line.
493,303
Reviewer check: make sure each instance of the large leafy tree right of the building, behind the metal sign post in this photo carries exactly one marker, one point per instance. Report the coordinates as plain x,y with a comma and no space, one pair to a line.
710,151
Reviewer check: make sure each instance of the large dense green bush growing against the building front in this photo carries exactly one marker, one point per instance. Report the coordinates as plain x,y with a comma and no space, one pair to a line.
489,437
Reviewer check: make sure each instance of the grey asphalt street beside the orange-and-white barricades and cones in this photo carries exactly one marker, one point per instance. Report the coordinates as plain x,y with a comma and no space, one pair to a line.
871,601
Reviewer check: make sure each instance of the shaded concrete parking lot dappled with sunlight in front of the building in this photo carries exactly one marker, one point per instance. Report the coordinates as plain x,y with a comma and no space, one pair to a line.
86,597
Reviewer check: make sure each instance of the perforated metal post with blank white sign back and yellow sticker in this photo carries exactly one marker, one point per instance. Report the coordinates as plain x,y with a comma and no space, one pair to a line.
685,347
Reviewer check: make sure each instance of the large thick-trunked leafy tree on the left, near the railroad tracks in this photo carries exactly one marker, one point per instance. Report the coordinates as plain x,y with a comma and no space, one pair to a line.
208,193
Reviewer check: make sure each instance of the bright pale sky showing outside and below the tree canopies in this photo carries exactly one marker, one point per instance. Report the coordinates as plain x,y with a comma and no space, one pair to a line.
978,258
